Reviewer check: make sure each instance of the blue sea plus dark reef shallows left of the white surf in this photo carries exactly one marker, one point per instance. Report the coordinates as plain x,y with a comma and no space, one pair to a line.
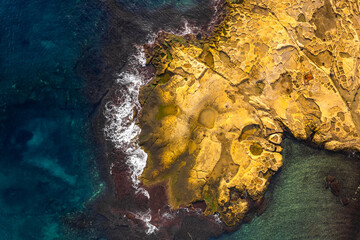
51,54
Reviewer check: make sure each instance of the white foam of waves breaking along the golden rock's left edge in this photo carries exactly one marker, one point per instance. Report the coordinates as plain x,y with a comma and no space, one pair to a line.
120,126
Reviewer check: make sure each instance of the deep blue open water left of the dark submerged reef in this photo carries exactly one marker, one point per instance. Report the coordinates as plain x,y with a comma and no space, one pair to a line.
47,160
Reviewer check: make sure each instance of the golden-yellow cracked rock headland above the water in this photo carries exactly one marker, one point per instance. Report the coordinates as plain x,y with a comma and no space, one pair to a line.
214,115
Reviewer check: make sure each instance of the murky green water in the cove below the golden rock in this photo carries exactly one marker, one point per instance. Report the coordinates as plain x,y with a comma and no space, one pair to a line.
299,206
